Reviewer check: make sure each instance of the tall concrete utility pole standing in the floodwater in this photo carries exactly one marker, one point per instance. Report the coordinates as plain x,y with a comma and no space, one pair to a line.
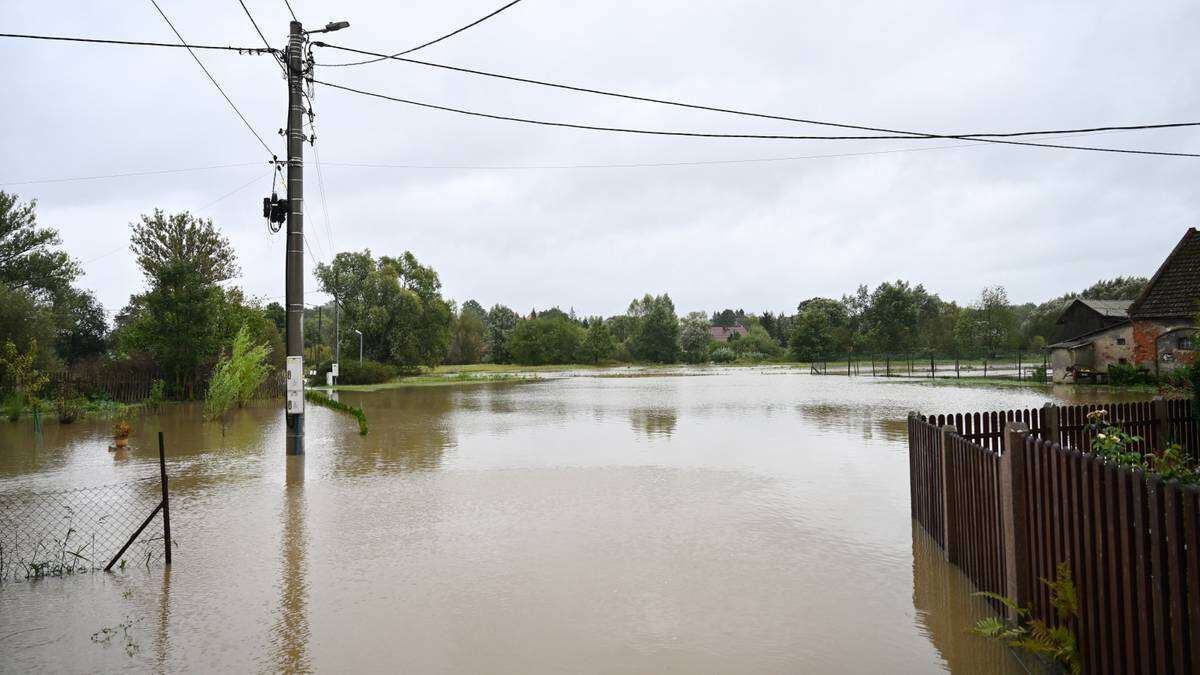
295,261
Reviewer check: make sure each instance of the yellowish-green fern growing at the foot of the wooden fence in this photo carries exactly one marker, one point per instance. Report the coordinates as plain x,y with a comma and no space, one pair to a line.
1035,636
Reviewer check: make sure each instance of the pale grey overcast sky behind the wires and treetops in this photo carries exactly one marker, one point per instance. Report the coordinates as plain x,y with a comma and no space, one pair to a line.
760,236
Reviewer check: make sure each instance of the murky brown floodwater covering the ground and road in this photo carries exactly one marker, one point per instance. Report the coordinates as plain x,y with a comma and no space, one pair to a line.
734,522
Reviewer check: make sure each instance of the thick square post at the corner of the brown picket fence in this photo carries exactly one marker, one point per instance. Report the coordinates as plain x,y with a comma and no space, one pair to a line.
1015,515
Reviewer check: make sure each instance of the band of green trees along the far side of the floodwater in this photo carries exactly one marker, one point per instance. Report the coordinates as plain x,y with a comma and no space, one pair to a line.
190,313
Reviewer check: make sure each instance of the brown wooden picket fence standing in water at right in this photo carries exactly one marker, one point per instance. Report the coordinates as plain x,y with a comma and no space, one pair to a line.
1007,516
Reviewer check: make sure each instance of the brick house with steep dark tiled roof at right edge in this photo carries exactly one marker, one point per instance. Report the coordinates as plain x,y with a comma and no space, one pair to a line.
1165,331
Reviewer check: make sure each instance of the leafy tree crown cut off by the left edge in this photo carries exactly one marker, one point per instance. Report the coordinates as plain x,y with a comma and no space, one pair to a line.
29,260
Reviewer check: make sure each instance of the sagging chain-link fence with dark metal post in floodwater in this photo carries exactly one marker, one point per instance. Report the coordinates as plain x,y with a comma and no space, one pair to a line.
75,531
